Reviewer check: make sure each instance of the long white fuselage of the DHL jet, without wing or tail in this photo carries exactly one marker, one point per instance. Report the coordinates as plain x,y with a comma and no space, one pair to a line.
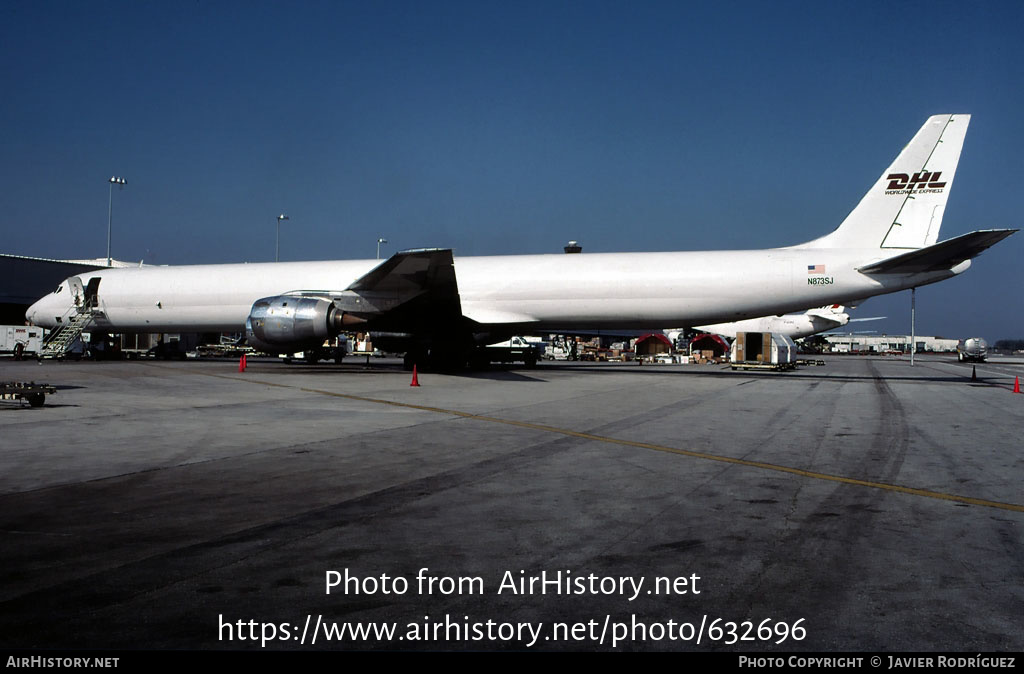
604,290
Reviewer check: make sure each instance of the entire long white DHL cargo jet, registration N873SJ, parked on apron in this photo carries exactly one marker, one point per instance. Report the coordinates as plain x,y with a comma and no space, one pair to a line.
438,309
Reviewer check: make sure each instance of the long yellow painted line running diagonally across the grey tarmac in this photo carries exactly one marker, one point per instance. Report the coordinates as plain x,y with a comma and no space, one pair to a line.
656,448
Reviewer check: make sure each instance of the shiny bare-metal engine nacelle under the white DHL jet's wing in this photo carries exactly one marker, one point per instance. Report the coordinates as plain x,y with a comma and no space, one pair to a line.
292,323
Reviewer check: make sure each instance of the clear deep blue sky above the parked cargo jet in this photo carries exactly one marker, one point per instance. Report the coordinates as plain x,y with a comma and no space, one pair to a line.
498,128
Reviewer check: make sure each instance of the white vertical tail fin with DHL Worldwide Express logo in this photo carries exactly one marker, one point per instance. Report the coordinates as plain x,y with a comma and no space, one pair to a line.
904,209
